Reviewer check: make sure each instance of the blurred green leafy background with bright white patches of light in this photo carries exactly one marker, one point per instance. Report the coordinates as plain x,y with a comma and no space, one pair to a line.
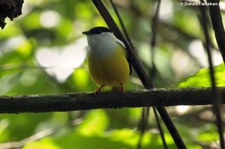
43,52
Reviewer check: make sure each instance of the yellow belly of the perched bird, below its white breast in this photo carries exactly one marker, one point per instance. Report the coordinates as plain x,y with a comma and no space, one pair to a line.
112,70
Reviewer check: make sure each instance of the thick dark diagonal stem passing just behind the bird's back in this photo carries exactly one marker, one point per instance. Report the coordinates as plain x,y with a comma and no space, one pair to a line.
140,71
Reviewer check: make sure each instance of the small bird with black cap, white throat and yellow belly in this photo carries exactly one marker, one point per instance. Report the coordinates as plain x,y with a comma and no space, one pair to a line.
107,59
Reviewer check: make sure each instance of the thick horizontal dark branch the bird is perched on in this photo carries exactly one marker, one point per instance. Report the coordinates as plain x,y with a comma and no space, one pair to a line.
87,101
